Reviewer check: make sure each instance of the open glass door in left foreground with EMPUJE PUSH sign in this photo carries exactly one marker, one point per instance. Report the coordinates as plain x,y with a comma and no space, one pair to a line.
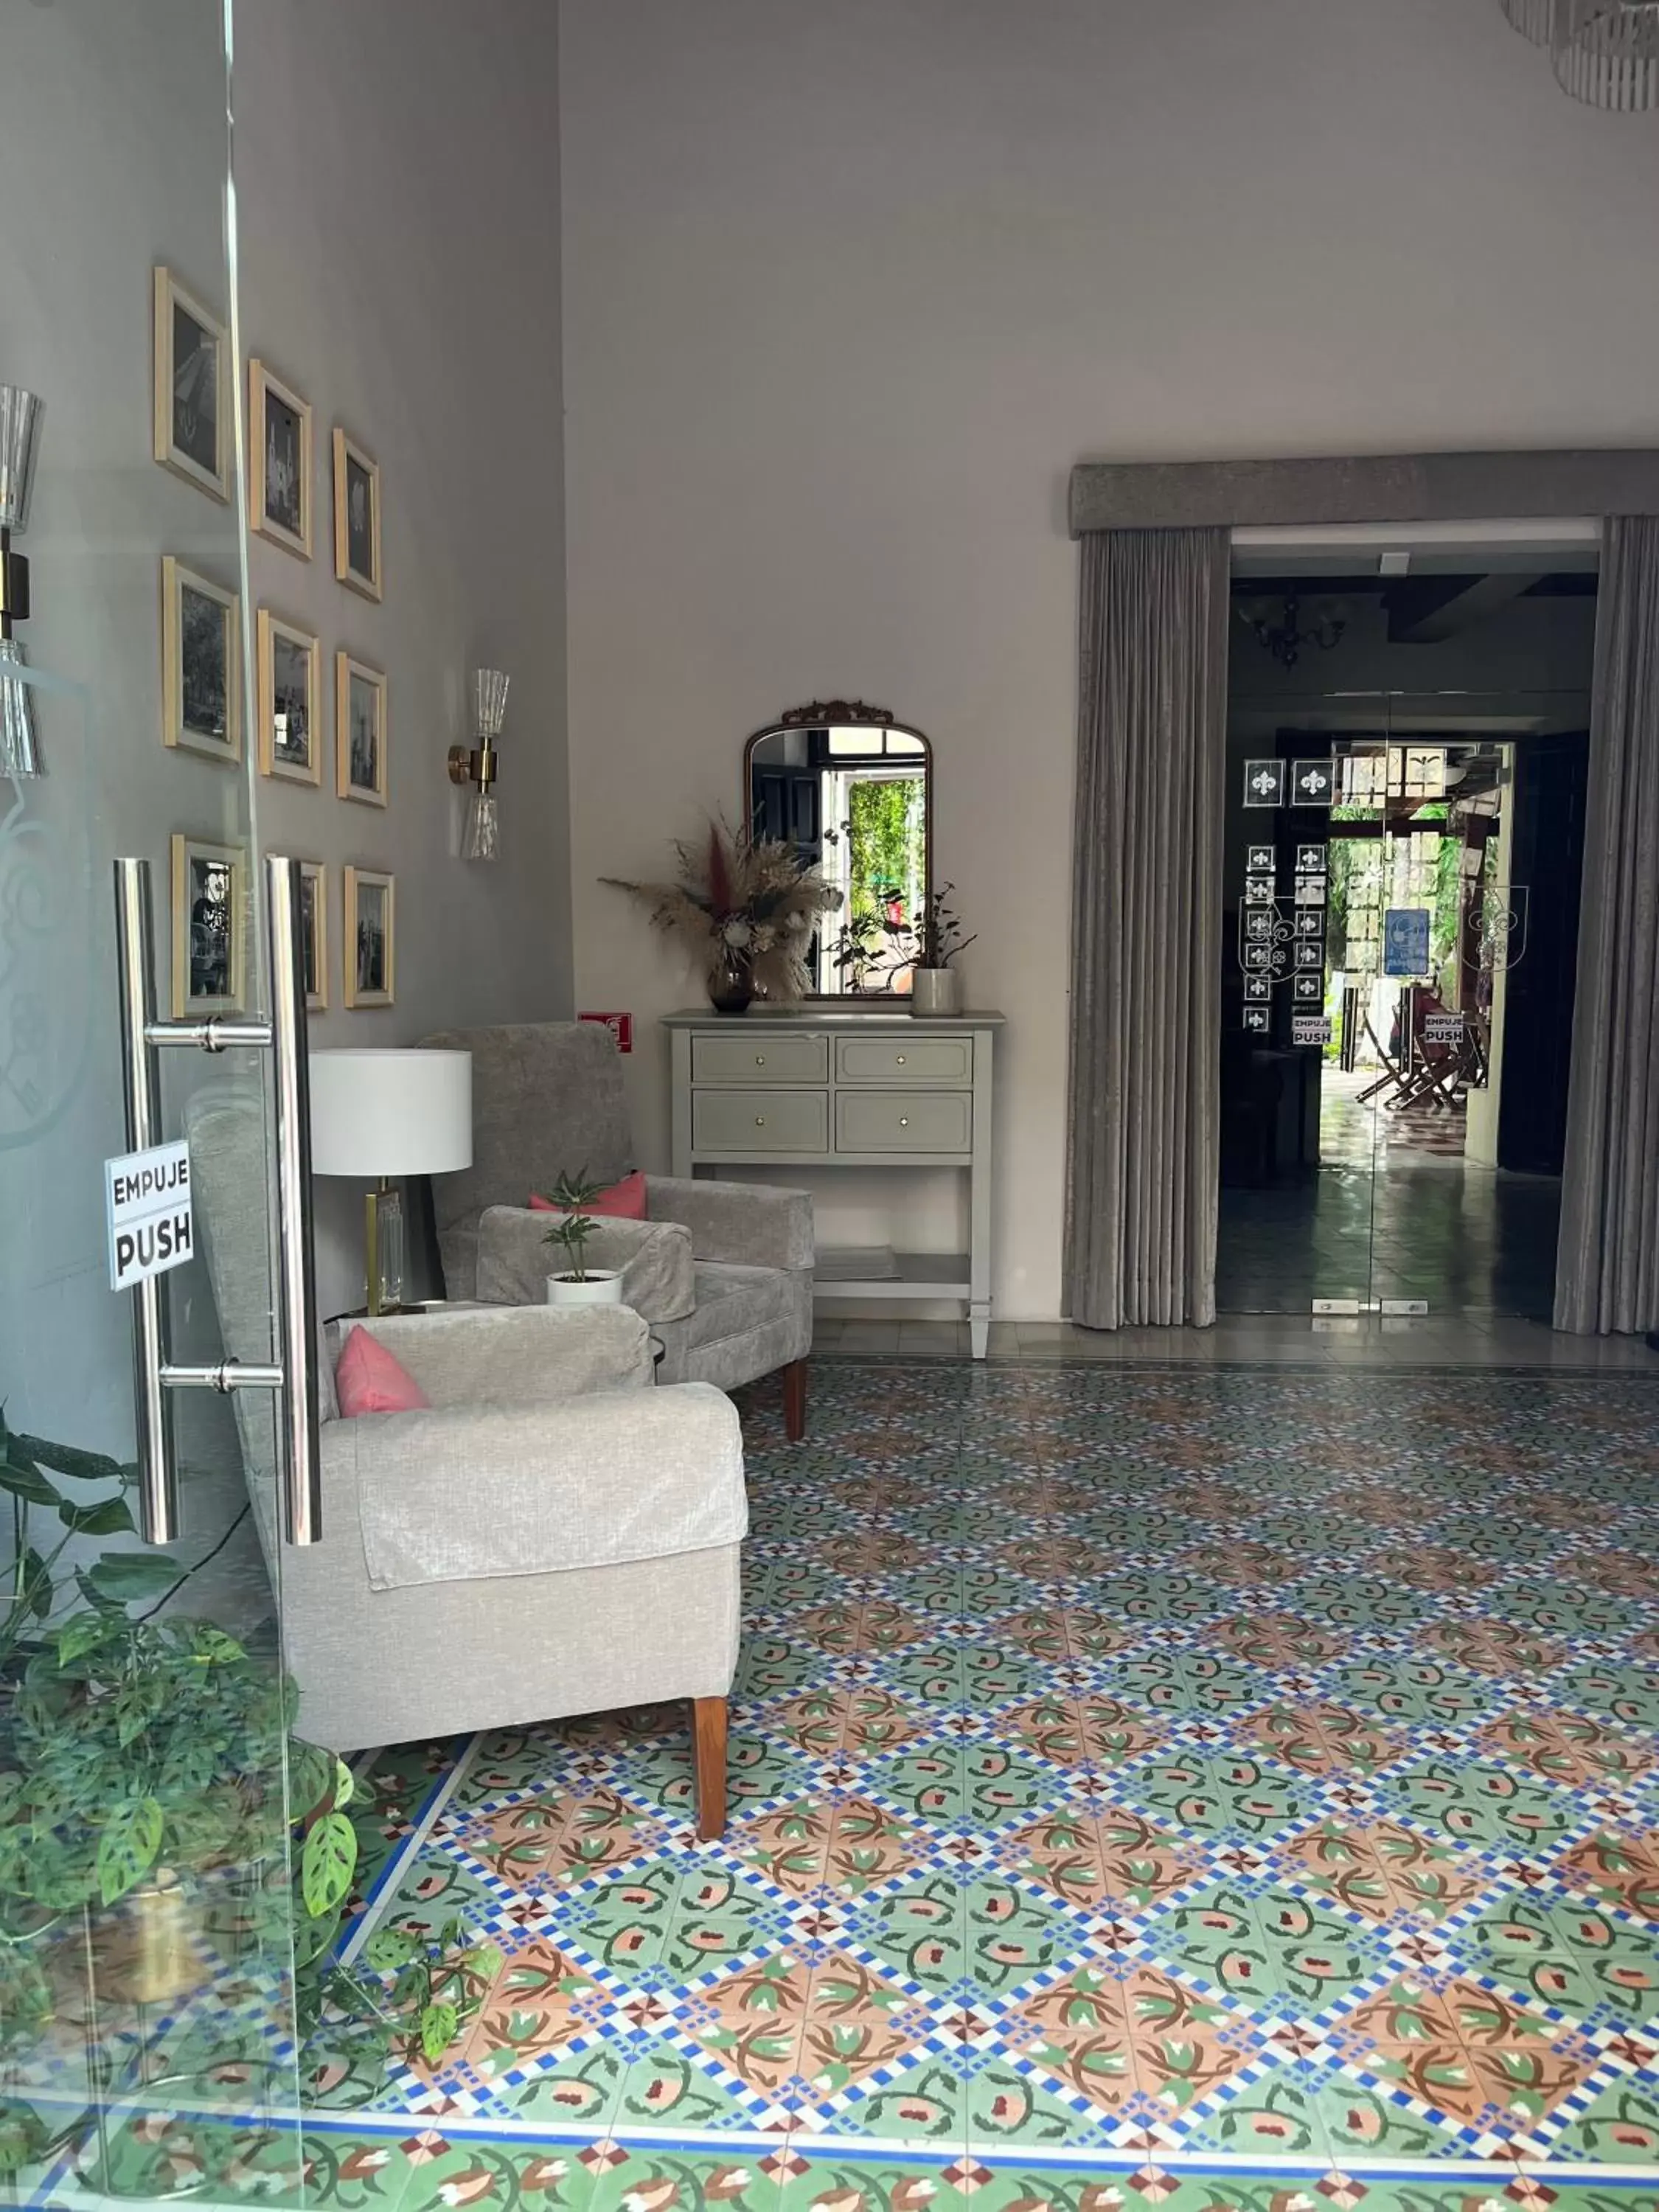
147,1775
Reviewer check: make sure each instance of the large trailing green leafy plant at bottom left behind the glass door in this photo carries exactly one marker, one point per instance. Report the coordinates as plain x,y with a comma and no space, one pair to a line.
140,1753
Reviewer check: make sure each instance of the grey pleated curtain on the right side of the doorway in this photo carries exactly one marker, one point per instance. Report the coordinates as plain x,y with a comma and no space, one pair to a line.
1607,1269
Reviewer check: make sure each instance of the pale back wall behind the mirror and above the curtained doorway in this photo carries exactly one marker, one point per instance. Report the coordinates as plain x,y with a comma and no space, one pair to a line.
848,293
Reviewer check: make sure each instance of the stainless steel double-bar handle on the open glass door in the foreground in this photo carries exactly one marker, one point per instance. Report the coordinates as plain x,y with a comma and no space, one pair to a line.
156,1375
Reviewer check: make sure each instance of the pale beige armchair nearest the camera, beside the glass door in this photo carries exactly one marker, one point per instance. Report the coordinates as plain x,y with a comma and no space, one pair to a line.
550,1538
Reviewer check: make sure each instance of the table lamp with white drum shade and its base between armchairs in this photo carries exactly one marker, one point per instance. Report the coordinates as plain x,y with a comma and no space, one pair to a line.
388,1114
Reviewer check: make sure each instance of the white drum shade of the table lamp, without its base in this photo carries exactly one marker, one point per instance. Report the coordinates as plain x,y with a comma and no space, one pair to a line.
393,1114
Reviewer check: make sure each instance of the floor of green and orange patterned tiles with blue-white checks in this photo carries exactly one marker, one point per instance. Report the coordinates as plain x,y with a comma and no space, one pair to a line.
1193,1788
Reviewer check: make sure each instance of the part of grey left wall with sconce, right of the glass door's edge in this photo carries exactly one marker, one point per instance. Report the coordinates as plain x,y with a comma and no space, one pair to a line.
397,174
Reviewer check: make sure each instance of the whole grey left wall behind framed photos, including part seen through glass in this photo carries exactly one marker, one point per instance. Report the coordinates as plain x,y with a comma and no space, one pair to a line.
399,222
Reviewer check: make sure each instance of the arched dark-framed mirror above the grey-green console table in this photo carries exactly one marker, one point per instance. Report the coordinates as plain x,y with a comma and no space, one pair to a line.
853,791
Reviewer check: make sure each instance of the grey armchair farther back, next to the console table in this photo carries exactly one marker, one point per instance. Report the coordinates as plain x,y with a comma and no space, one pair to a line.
729,1297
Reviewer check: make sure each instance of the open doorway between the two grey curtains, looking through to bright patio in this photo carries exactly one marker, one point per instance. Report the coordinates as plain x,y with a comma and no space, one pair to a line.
1406,837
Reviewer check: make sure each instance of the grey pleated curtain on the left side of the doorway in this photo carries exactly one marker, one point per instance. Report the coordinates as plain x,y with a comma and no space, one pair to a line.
1147,930
